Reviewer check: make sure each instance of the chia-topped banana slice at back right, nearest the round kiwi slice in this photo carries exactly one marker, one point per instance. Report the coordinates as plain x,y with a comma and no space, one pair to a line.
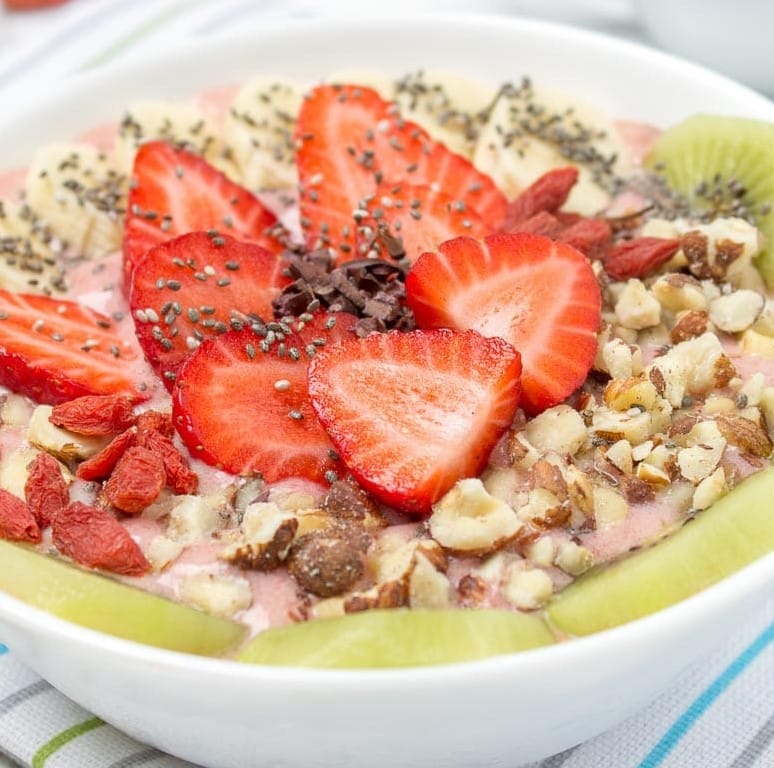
531,130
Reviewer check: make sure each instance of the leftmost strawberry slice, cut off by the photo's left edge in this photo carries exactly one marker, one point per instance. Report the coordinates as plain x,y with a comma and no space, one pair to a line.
54,350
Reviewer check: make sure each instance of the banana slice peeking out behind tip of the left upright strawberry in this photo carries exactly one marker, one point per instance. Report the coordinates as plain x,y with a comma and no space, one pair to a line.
177,122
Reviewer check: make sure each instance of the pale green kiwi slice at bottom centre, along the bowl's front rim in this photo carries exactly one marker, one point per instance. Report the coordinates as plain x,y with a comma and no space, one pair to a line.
398,638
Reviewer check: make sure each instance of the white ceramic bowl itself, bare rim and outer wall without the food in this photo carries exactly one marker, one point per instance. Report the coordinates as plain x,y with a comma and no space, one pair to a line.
505,710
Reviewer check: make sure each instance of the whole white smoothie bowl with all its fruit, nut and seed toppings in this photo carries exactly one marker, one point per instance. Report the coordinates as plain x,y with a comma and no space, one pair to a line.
449,409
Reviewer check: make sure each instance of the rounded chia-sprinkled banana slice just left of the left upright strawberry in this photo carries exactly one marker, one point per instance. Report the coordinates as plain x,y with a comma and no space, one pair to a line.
80,194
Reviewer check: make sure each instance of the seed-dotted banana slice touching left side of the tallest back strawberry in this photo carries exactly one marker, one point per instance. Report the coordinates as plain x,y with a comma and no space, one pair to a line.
259,133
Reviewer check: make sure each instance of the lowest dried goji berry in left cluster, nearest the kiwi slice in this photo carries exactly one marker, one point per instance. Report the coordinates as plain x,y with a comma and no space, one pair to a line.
92,537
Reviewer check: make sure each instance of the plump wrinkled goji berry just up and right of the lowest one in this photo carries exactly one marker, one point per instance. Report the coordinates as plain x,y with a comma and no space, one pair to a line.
136,481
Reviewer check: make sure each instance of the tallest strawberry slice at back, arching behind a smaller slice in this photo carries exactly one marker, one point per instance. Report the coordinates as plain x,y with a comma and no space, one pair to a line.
350,140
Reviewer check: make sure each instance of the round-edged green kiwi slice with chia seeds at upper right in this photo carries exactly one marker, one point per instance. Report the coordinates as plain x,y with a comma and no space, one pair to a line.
700,156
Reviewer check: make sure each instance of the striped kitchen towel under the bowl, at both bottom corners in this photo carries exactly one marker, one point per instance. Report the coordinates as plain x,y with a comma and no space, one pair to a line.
718,715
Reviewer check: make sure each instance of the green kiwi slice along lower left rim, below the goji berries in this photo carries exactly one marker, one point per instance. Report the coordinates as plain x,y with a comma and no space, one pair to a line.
101,603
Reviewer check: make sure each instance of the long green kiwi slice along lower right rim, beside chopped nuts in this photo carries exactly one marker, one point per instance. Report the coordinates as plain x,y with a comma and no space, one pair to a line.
732,533
